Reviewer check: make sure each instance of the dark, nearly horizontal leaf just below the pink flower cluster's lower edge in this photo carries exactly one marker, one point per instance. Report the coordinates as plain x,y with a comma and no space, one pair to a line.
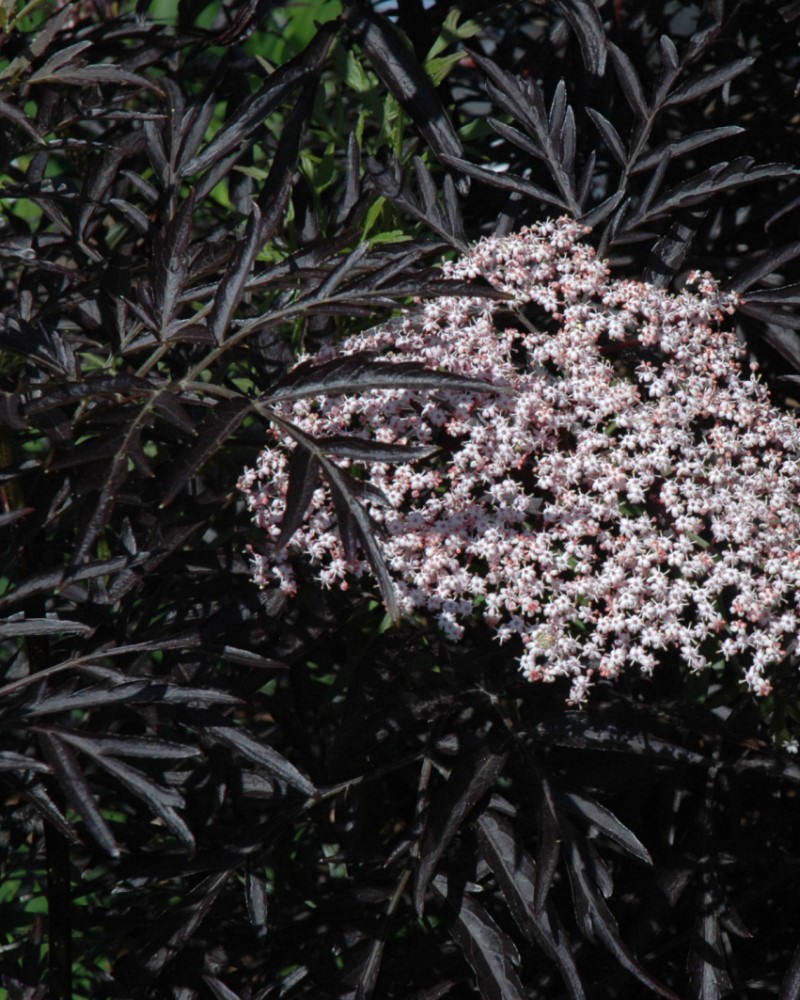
581,730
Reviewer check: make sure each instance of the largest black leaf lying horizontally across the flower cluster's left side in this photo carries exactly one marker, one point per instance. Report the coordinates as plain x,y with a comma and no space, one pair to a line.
364,371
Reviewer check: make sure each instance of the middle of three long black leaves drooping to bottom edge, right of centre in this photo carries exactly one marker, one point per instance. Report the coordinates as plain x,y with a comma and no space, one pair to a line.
515,871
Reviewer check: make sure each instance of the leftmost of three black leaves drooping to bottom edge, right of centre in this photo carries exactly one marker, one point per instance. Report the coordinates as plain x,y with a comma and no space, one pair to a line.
489,951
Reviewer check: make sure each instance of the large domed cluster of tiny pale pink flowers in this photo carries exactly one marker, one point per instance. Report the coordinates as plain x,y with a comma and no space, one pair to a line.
626,490
